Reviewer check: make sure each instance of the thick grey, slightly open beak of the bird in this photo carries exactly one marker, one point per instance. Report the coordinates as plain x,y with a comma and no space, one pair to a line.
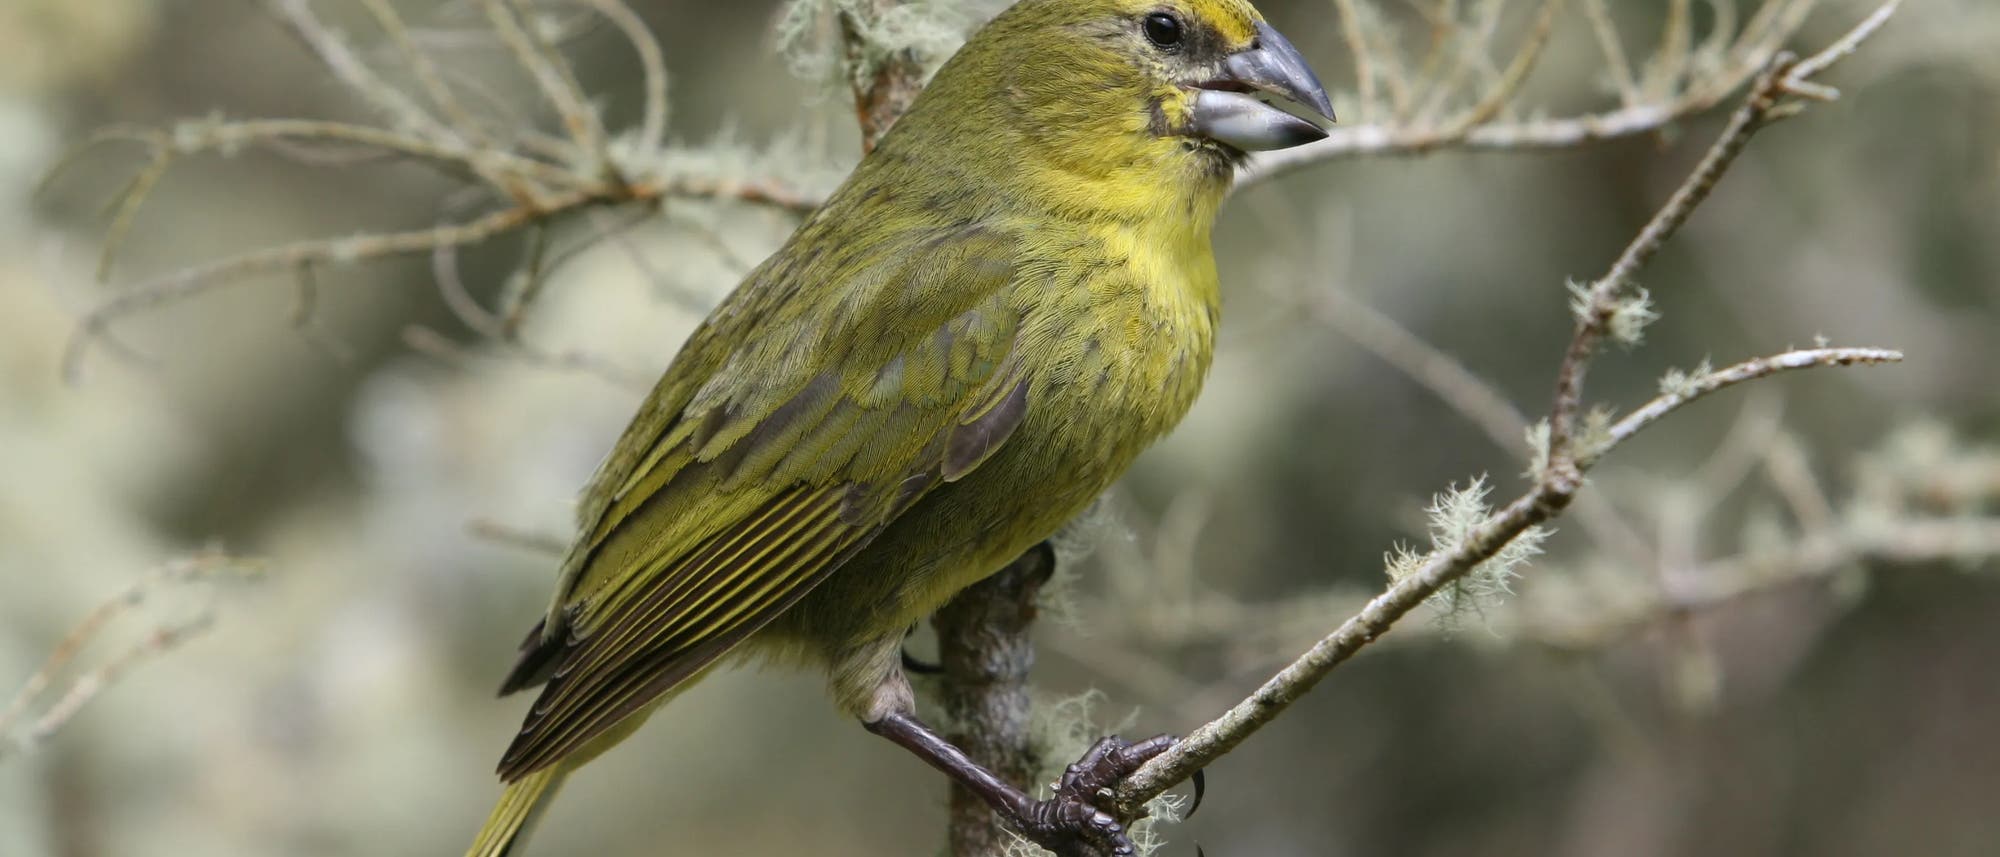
1235,107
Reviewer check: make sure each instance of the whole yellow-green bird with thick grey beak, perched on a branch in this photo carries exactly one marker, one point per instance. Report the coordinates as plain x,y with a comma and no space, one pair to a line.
1007,301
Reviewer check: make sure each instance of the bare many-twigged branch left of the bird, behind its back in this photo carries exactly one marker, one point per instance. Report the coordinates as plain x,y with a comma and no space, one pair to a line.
539,185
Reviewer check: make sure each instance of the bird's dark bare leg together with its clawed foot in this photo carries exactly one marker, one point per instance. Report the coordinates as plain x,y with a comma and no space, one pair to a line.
1067,824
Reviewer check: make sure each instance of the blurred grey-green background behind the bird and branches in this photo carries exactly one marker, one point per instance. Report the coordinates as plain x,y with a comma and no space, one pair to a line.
387,468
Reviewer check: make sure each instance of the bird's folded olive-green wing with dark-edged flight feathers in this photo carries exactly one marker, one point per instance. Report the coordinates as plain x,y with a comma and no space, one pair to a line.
809,427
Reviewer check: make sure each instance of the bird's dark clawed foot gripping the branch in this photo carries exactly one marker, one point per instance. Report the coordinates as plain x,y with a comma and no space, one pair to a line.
1071,822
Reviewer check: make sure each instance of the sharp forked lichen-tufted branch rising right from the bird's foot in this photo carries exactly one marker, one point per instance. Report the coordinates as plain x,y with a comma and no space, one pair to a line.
1605,311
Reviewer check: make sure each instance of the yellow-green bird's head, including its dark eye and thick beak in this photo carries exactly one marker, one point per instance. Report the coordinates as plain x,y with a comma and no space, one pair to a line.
1109,95
